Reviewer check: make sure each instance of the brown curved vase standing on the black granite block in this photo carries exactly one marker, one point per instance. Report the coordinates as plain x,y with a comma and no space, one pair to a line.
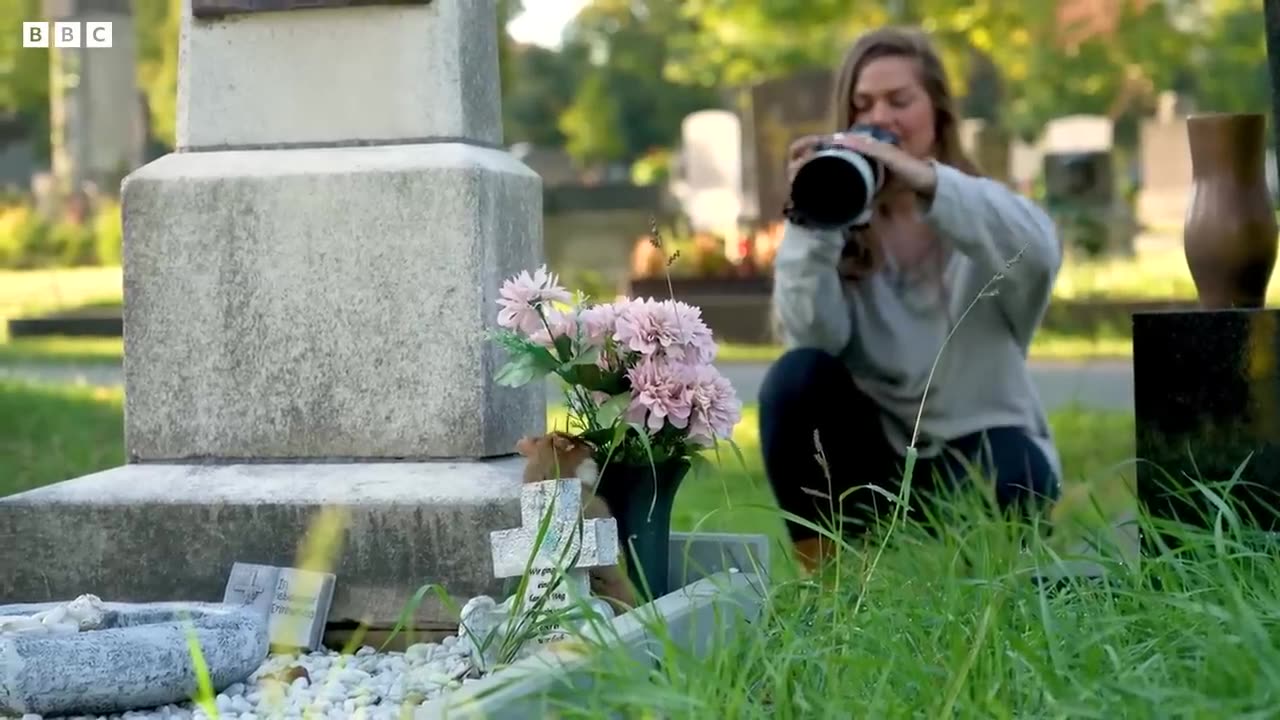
1231,231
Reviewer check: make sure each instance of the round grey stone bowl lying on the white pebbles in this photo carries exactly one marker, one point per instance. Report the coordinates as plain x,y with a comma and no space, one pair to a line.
139,659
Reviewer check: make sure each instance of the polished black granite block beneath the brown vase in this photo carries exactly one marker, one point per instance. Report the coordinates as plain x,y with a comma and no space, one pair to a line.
1208,407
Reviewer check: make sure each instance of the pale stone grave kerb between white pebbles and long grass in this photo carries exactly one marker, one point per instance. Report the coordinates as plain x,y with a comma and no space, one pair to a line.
693,619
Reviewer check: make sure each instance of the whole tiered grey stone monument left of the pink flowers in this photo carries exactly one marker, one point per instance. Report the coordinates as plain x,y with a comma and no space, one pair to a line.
309,282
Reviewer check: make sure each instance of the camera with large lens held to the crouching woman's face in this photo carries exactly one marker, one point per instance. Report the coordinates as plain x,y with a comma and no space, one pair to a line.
838,186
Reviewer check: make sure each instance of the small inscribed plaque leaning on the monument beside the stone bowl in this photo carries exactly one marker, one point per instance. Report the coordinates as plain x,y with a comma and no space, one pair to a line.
295,603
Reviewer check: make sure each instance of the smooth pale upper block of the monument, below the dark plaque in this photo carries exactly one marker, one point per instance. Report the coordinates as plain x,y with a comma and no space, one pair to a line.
373,75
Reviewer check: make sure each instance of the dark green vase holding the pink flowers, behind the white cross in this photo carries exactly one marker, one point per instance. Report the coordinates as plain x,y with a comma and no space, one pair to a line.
641,500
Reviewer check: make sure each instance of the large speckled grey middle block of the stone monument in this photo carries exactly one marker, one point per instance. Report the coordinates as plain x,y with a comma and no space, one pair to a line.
324,304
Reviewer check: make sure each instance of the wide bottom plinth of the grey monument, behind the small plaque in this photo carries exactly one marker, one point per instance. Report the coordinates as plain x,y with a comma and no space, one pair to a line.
161,532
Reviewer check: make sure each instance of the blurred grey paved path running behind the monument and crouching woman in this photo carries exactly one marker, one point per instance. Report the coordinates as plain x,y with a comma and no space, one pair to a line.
1098,385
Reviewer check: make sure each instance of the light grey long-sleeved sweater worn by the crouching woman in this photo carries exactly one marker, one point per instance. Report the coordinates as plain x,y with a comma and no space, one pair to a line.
889,330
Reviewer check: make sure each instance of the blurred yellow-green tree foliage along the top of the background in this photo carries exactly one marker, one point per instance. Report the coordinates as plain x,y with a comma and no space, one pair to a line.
636,69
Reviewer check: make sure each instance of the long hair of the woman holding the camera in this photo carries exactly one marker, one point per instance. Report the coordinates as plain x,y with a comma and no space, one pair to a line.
865,253
